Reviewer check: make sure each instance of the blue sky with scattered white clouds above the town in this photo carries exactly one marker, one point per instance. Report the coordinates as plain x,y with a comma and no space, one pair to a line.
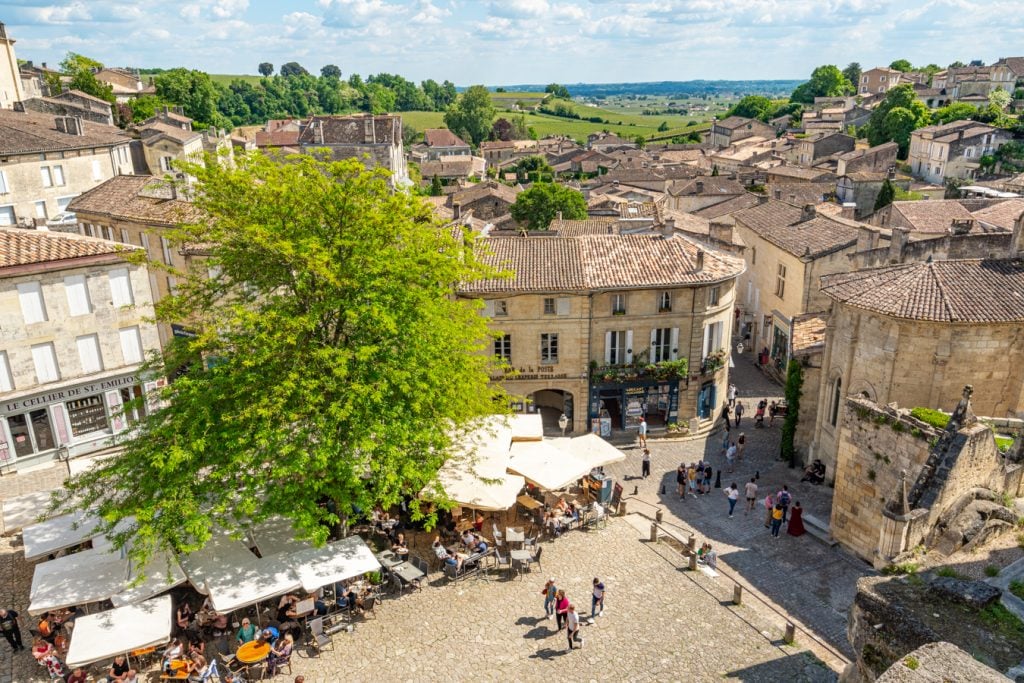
521,41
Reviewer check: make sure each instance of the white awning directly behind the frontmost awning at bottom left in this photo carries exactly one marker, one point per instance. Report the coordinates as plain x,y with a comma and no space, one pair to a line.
90,576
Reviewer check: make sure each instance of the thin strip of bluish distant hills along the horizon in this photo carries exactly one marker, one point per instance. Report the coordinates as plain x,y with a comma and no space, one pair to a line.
669,89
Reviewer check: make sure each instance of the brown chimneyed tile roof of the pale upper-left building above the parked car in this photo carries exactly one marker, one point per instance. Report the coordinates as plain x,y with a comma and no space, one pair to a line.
27,133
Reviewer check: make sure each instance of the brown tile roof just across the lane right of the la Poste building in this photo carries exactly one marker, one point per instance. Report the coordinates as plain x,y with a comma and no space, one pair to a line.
782,225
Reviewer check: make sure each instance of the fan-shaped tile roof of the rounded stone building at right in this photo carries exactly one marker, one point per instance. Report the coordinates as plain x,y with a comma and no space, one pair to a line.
957,291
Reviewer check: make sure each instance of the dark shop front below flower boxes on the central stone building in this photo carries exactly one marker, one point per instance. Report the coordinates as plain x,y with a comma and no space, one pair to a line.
620,406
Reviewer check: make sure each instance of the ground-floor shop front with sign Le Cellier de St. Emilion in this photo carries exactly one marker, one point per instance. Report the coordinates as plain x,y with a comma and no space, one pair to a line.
78,417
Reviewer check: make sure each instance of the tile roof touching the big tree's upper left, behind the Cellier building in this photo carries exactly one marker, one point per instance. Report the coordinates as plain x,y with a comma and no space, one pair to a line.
141,199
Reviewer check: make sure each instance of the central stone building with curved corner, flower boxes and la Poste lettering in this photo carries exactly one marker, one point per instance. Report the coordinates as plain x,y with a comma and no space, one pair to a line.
596,326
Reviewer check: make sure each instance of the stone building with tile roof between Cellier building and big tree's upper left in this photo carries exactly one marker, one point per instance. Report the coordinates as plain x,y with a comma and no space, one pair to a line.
140,210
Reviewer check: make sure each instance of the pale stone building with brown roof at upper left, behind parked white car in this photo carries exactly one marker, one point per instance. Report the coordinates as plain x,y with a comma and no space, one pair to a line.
48,161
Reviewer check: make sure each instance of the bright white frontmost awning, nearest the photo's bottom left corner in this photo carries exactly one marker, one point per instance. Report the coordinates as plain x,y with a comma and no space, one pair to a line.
108,634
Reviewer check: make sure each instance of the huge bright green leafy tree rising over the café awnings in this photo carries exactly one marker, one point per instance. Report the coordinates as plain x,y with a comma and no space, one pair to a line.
337,361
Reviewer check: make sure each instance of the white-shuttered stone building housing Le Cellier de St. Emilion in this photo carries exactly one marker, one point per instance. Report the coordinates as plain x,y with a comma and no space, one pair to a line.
74,332
